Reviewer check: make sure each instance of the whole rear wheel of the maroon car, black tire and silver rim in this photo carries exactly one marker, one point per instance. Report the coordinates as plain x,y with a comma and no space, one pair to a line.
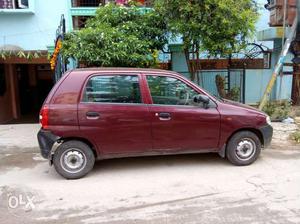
73,159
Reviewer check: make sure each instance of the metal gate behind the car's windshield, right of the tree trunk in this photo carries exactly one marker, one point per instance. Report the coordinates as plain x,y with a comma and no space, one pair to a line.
234,80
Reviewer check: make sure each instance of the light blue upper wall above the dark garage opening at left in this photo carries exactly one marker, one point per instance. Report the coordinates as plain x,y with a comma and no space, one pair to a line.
32,31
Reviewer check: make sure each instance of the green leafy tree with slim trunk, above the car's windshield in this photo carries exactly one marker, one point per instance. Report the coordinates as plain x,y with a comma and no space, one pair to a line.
220,27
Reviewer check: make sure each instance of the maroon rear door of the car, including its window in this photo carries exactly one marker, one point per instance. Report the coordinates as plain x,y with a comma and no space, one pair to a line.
112,113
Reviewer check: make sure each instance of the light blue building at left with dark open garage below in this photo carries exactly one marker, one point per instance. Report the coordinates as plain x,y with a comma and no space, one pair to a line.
27,29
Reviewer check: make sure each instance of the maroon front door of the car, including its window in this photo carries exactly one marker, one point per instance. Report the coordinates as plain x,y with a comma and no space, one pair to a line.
177,122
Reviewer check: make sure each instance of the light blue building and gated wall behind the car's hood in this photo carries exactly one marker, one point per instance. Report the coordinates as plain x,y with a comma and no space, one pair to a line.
254,70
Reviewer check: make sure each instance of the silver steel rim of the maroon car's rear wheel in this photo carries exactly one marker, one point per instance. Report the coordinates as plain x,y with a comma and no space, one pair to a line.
73,160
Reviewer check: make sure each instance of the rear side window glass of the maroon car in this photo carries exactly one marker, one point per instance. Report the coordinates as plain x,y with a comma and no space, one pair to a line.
113,89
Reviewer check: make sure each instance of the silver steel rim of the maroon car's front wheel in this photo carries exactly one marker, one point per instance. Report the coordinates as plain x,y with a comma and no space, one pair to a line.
246,148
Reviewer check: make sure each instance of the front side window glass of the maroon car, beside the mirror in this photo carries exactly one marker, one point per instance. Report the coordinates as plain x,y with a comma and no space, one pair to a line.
170,91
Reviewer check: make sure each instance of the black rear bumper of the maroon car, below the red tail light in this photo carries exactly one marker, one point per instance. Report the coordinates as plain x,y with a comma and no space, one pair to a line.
46,140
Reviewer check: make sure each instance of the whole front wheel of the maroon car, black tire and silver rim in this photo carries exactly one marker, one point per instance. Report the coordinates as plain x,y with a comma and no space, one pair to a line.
243,148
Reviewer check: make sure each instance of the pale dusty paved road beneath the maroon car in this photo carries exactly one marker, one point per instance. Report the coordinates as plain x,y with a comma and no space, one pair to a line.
171,189
